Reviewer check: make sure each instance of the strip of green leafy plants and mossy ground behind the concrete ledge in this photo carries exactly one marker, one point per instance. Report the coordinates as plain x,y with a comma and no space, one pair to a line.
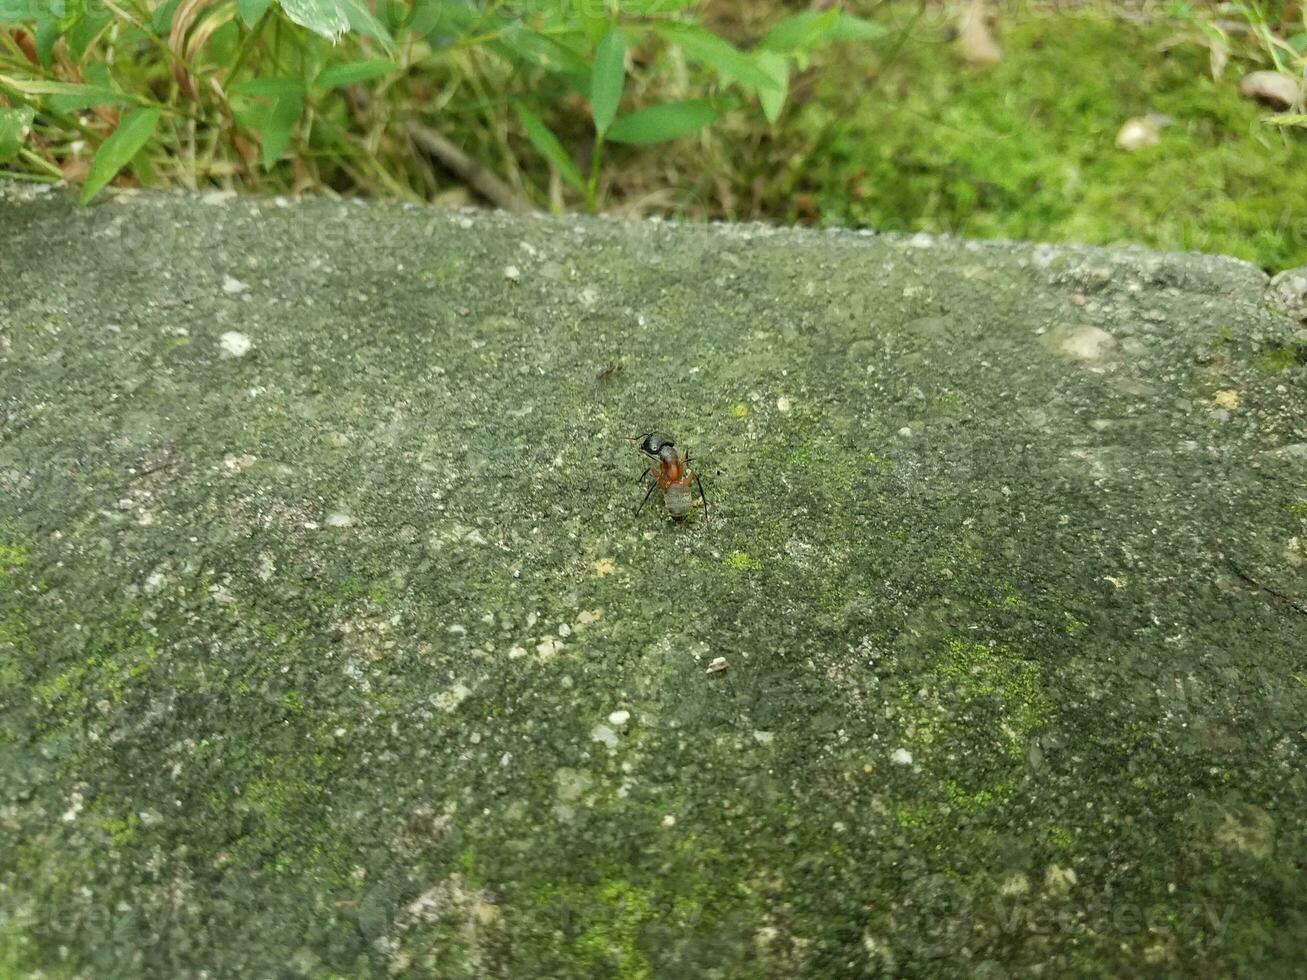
869,114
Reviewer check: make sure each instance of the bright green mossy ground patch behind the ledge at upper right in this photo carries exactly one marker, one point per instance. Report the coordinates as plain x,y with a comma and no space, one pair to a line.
1025,150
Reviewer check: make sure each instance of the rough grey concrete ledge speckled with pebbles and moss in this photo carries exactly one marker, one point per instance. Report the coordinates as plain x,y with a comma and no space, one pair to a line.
331,644
